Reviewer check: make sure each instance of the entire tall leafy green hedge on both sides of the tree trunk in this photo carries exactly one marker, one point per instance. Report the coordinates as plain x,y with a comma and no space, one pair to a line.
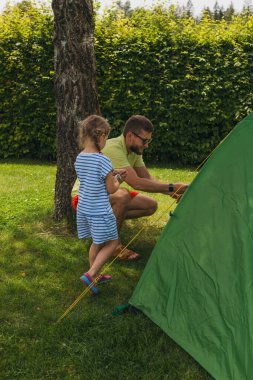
193,80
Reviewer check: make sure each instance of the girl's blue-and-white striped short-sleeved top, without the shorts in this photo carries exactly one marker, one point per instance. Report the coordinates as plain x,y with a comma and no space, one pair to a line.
91,170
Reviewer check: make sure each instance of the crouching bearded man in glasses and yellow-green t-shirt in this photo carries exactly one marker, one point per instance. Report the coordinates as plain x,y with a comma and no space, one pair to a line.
126,152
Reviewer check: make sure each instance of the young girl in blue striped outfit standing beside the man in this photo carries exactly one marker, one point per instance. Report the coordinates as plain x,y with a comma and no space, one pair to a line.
95,217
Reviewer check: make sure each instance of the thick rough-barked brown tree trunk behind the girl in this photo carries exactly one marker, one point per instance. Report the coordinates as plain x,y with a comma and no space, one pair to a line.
75,88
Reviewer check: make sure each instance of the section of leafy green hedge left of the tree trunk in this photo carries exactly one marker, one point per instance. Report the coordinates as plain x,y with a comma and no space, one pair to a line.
27,107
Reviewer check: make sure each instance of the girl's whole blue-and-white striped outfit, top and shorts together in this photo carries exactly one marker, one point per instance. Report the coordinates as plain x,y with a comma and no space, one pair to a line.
95,217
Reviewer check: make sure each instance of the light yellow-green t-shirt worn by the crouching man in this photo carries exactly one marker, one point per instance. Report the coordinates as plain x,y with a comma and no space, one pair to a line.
116,150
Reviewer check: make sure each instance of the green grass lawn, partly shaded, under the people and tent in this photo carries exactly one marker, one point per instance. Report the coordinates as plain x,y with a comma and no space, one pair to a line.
41,262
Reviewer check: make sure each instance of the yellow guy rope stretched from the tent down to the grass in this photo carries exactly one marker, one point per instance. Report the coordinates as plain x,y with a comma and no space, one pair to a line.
87,289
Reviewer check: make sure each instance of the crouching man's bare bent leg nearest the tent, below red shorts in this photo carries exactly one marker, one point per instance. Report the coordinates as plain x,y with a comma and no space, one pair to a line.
139,206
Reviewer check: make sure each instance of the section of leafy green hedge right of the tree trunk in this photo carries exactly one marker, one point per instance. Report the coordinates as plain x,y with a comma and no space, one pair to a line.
194,81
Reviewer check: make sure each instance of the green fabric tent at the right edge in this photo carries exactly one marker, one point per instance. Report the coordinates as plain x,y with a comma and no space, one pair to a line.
198,283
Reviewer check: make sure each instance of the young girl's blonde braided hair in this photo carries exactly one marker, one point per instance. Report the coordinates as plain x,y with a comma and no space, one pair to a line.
93,127
